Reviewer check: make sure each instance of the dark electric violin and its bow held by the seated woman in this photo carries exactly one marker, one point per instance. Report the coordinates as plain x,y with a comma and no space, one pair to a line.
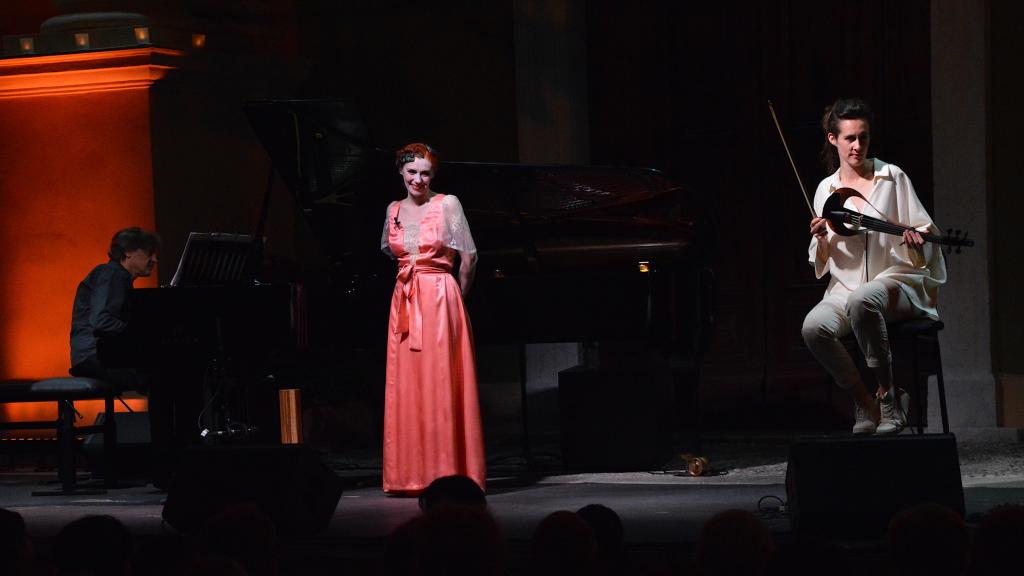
840,219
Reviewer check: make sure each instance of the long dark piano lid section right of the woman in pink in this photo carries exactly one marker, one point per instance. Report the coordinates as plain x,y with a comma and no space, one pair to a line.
537,218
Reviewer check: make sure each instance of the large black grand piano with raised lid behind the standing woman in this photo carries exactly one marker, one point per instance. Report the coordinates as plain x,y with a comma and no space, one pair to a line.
605,256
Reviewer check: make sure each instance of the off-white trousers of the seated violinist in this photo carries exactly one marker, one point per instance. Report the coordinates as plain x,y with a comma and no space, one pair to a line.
865,313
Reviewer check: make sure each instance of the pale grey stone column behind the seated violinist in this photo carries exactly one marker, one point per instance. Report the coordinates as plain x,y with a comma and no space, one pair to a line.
960,68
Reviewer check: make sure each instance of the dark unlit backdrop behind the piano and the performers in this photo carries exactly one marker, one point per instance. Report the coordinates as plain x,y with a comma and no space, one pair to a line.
679,87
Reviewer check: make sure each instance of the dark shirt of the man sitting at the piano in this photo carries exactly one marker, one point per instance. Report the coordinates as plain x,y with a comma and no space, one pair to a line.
101,306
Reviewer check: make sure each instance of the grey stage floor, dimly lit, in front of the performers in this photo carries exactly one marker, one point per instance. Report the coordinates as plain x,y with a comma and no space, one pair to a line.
662,511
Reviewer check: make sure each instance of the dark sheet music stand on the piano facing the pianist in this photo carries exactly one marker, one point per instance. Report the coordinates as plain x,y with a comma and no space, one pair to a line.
217,260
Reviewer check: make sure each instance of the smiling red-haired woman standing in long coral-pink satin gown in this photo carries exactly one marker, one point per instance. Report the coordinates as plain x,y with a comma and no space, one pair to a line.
432,414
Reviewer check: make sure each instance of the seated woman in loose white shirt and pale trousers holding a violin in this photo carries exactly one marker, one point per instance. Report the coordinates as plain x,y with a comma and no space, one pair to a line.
875,278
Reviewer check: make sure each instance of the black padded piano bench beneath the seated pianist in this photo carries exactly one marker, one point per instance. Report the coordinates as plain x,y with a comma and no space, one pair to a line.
65,392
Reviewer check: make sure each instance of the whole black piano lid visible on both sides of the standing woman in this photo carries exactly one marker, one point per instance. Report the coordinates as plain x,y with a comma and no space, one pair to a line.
526,219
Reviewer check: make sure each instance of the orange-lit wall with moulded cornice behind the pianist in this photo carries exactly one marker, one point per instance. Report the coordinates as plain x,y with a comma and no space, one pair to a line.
75,167
